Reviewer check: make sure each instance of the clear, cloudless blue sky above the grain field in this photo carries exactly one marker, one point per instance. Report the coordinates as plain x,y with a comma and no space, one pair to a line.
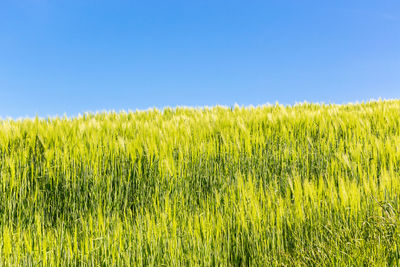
72,56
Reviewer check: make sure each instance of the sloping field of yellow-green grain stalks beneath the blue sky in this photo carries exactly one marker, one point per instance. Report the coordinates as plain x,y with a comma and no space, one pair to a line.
271,185
